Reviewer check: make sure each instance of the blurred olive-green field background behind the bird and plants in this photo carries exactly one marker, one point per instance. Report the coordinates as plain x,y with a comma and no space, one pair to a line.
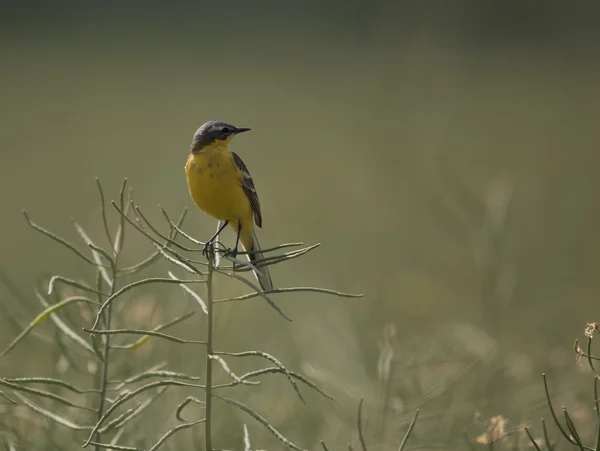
444,154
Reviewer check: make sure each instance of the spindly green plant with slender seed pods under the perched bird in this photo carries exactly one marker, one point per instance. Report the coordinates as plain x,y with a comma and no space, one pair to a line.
104,416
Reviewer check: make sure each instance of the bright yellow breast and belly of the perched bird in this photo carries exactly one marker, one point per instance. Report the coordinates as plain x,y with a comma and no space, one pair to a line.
214,182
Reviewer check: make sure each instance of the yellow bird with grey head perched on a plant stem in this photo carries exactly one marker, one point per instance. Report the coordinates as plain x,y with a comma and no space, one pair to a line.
221,186
